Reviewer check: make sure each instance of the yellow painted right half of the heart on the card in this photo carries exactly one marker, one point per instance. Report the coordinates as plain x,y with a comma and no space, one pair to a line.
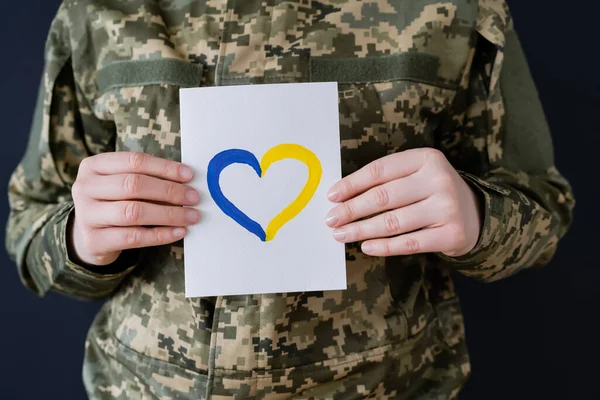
302,154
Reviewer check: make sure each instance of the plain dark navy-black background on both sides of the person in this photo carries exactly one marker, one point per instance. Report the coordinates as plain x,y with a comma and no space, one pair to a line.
531,336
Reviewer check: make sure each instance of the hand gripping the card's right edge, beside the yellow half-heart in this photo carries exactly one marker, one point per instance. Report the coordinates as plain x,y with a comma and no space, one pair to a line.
426,205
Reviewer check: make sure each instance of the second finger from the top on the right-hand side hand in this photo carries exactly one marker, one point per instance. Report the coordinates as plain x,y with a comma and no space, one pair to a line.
395,194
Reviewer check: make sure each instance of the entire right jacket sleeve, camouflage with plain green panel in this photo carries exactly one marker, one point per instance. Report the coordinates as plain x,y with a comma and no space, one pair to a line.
500,143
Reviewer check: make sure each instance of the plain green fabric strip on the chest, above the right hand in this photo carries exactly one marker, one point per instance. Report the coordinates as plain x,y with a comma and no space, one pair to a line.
406,66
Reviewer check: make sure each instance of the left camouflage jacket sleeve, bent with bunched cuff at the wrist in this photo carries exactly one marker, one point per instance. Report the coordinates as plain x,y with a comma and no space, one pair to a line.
39,189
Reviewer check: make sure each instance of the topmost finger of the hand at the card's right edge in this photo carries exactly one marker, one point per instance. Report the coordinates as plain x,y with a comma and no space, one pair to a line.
383,170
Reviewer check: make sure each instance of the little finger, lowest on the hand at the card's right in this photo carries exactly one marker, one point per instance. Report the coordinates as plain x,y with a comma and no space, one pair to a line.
424,241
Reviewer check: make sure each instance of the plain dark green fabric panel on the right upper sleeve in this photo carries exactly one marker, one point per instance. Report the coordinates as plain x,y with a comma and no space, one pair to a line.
527,138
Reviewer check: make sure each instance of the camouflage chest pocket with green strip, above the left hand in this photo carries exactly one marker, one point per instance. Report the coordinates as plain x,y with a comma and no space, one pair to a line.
142,98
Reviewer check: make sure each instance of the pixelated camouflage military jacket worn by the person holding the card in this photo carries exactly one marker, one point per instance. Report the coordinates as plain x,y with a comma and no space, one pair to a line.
411,73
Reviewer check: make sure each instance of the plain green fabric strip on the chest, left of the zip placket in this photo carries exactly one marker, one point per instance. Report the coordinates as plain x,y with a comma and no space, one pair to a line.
138,73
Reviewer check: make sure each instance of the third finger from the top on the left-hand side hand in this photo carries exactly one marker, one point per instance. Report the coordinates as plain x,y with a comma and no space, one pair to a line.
138,213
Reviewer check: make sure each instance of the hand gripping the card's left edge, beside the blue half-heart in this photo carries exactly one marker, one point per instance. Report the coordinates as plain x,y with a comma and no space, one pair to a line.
117,195
